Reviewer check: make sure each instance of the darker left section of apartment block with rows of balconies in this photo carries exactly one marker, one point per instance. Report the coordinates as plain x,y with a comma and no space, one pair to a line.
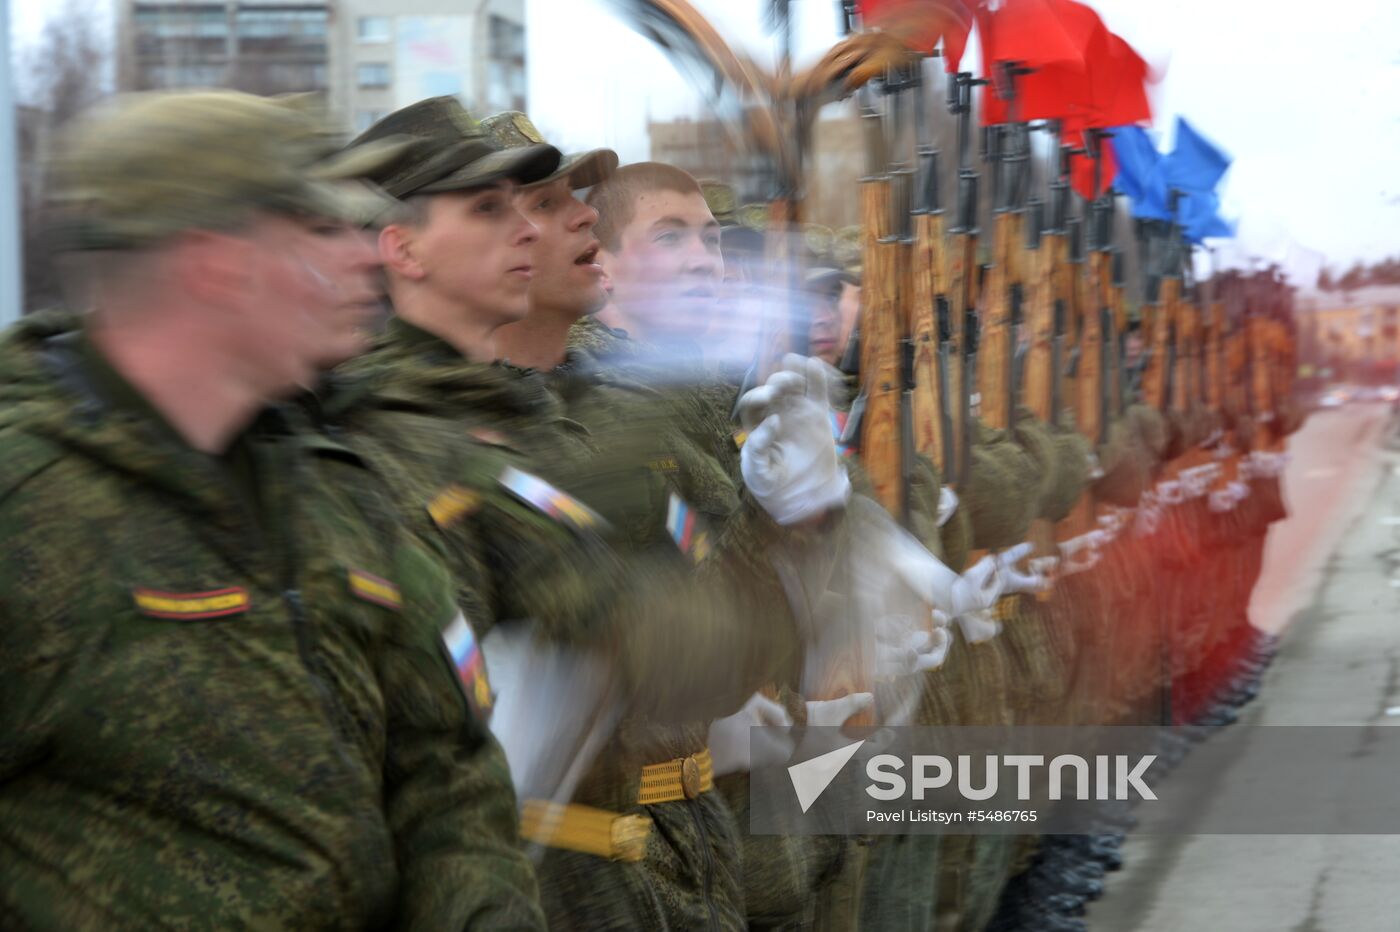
264,47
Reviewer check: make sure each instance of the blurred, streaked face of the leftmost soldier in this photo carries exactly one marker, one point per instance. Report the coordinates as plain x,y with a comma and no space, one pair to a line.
314,296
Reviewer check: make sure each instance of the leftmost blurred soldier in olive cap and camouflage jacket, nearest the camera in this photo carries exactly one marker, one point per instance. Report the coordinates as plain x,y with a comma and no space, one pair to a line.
225,696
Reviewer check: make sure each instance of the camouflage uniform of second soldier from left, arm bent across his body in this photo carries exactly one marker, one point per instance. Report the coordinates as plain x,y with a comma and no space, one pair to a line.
695,637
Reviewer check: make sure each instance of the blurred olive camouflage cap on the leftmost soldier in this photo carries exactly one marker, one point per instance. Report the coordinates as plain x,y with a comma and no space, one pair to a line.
143,167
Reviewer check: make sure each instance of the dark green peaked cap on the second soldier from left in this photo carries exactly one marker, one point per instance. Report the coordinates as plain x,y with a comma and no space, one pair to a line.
453,152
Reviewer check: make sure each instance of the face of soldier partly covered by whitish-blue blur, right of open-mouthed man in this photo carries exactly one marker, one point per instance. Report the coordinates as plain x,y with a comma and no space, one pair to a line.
667,272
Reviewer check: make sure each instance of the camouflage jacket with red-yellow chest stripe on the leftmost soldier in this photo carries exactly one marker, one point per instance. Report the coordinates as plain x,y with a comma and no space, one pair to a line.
225,695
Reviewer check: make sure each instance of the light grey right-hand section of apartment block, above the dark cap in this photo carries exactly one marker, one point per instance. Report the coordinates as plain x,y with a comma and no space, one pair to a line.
388,54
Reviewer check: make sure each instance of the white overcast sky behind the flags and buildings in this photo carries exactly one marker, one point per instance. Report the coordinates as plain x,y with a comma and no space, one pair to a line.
1304,96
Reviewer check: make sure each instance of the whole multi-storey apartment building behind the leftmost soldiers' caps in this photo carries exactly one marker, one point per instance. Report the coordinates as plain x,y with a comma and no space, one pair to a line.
367,57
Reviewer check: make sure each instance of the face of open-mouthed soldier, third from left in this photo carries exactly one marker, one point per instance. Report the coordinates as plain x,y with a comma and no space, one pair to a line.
568,276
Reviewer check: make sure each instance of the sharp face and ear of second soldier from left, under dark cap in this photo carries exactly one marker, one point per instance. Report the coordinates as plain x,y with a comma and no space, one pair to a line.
472,254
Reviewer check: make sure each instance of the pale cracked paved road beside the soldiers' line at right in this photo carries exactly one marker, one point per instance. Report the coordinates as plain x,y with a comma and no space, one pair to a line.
1332,587
